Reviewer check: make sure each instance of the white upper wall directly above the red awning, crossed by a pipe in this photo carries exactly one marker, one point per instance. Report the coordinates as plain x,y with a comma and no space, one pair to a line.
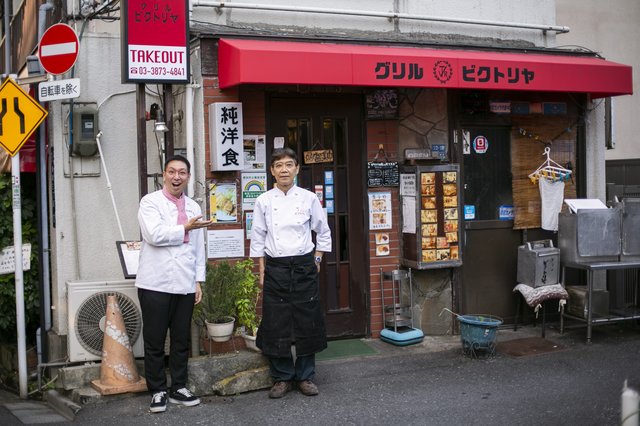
541,12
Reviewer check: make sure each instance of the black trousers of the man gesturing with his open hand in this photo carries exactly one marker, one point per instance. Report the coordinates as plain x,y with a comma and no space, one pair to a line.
162,312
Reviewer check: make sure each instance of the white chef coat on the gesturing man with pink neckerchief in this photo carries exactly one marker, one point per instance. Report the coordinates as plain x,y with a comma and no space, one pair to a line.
167,263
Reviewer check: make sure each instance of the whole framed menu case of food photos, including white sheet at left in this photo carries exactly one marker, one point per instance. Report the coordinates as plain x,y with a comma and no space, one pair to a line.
436,241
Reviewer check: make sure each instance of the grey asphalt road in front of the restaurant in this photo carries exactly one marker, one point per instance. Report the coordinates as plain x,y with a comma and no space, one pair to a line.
577,386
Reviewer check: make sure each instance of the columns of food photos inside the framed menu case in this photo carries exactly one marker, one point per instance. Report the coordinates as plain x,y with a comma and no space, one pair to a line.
439,216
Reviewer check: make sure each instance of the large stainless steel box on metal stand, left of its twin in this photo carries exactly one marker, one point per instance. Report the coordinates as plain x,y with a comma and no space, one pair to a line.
590,235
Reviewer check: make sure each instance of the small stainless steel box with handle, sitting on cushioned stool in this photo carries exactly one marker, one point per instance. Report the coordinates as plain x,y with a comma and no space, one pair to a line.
538,263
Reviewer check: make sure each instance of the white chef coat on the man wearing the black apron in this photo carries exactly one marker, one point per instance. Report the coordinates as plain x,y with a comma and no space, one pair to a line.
282,224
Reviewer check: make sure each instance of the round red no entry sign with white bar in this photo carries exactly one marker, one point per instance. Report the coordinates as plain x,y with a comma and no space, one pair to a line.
58,49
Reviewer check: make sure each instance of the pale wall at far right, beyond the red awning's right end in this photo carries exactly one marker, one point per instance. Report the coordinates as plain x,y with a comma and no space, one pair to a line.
611,29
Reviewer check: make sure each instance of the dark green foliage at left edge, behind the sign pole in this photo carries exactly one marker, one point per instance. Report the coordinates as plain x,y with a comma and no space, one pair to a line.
8,330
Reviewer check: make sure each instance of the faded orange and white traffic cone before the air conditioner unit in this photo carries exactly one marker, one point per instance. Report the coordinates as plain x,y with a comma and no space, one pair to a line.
118,372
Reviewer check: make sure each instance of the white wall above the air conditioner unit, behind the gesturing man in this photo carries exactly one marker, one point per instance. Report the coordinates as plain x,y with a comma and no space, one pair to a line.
83,221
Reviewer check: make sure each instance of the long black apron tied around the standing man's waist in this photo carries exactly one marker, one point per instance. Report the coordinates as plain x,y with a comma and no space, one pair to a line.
291,310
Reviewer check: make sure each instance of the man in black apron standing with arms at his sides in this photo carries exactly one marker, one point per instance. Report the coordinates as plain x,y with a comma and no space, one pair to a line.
281,239
